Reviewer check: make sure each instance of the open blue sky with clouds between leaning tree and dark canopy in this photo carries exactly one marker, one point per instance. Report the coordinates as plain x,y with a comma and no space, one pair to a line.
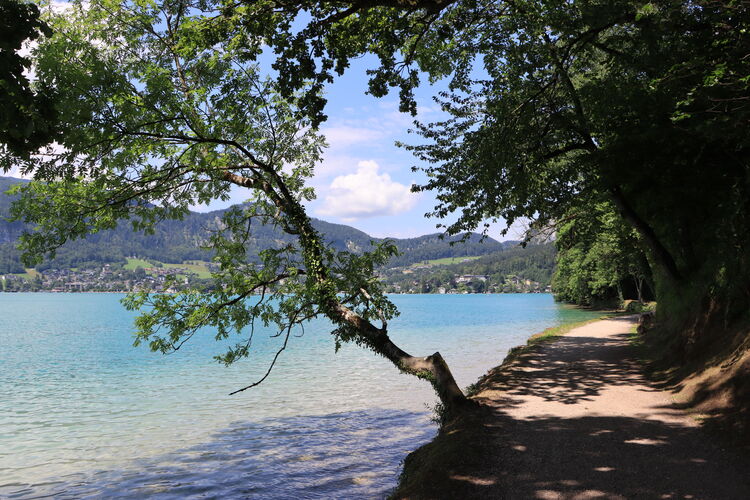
364,180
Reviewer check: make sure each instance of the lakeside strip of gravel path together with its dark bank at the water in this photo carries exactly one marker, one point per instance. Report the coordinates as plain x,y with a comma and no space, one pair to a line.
576,417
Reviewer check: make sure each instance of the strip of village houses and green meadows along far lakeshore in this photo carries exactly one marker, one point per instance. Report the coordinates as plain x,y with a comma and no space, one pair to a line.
513,270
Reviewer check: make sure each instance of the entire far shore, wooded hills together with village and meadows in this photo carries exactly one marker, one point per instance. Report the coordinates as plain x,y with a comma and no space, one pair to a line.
177,256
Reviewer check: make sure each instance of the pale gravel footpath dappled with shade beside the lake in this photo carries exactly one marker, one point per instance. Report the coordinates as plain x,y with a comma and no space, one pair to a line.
576,419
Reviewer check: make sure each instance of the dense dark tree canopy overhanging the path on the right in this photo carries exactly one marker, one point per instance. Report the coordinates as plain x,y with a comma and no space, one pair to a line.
644,105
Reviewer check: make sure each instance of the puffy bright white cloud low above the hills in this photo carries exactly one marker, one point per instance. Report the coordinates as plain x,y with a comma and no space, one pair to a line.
366,193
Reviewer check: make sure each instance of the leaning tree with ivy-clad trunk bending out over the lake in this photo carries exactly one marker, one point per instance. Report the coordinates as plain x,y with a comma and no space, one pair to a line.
158,118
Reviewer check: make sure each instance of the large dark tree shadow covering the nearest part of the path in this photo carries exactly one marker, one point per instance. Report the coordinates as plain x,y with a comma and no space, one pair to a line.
601,457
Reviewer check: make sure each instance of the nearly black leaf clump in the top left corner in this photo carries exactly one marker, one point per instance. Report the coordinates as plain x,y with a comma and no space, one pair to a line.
26,116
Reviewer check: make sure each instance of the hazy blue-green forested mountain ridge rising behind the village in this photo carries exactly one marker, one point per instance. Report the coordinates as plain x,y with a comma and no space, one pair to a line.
176,241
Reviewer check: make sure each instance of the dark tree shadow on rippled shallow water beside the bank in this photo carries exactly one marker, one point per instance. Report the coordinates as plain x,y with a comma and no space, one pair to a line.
341,455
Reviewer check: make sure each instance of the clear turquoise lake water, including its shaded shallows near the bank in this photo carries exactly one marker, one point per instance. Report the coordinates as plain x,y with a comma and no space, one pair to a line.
85,414
